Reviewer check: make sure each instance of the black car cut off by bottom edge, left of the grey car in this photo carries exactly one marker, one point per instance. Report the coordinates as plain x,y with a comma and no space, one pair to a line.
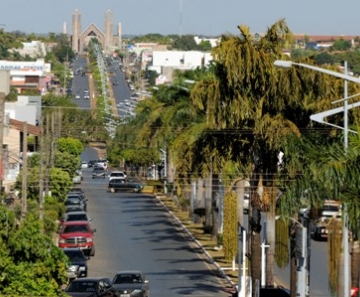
94,287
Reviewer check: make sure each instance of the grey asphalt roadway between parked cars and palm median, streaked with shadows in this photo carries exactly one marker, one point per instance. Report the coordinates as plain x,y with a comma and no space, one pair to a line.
135,232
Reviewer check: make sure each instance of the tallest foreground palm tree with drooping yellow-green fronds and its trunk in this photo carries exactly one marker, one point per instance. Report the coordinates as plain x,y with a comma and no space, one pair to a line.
264,110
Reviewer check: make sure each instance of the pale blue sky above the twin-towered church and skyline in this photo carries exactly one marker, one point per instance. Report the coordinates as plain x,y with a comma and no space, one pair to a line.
197,17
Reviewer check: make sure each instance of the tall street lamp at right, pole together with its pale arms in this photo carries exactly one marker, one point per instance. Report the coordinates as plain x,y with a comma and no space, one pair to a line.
319,117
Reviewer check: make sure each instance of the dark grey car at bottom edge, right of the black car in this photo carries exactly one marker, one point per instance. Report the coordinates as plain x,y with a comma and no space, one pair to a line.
131,283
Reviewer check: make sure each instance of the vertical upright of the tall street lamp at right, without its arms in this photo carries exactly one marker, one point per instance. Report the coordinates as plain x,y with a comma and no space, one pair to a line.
345,229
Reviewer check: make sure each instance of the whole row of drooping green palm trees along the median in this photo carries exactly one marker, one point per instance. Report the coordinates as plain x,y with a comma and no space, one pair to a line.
234,123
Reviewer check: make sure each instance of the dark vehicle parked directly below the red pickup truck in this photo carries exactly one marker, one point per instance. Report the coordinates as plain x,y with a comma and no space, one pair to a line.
78,263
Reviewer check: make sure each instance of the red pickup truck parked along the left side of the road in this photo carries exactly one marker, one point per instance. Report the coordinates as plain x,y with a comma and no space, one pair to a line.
77,234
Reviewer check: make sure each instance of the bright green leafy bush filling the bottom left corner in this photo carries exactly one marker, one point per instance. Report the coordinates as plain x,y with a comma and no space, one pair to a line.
30,264
